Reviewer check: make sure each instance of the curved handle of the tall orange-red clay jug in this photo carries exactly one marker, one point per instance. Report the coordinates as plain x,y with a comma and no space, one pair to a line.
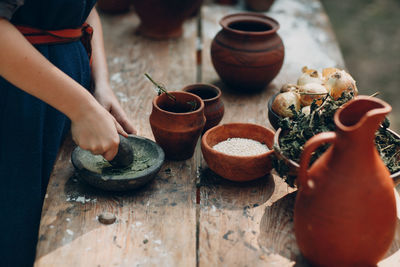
312,144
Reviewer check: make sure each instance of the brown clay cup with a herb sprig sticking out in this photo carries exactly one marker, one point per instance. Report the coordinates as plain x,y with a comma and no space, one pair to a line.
175,128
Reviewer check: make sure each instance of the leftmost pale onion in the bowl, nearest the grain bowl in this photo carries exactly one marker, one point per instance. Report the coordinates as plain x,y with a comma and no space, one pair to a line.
283,101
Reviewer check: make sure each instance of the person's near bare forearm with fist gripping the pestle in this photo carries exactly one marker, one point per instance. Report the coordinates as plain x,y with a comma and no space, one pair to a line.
92,126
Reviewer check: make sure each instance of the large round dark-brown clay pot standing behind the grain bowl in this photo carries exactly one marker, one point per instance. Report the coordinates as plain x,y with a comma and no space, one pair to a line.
247,53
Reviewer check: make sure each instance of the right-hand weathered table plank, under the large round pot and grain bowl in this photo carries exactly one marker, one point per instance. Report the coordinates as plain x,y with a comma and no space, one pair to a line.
252,224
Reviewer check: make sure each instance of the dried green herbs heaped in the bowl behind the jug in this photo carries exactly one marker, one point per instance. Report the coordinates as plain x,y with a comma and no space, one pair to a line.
297,130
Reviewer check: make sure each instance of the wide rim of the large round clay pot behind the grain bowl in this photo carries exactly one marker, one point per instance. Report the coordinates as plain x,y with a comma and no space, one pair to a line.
249,16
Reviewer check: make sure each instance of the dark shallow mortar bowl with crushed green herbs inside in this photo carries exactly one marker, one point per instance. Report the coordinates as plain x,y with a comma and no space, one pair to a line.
96,171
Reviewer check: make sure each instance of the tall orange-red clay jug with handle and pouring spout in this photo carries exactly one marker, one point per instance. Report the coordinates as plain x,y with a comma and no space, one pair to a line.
345,211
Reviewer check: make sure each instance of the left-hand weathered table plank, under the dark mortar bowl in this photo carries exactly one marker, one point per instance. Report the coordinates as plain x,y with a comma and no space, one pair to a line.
155,224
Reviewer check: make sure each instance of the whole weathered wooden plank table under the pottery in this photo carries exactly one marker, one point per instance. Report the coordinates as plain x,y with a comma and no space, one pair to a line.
187,216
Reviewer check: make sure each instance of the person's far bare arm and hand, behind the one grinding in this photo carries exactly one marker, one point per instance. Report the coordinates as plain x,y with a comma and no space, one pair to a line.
103,91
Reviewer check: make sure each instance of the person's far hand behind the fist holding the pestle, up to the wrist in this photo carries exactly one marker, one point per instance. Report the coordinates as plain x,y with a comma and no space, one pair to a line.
106,97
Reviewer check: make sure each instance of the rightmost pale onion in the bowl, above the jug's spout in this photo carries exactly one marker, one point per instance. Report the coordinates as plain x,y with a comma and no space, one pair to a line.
340,81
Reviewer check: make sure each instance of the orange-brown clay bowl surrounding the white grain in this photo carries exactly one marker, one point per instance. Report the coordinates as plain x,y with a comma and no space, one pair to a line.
238,168
